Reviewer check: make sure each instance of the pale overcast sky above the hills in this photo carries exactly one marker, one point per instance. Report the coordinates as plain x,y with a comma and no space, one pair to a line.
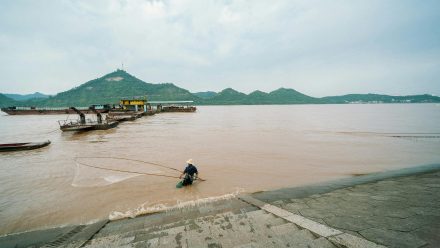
317,47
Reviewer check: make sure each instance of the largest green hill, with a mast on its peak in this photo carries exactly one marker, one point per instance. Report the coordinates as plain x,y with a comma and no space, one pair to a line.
111,88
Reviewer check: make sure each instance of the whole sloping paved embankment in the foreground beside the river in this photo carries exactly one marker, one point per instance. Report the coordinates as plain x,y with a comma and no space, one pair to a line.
392,209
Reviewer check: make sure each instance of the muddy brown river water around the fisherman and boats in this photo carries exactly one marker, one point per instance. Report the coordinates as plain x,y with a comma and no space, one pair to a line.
236,149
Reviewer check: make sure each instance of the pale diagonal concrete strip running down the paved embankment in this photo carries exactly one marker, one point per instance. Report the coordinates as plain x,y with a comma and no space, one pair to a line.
334,235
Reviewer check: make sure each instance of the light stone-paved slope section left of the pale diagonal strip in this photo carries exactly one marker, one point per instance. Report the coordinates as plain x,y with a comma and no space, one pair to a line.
228,229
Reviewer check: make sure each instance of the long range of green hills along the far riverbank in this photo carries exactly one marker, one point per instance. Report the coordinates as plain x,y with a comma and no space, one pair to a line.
119,84
